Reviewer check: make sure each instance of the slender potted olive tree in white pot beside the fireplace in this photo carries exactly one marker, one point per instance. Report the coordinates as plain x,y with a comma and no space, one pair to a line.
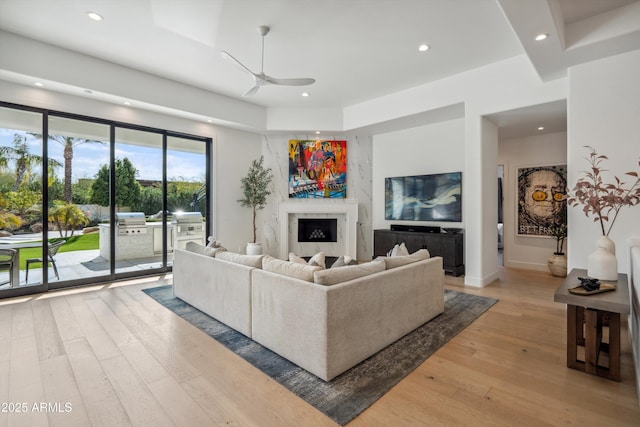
255,190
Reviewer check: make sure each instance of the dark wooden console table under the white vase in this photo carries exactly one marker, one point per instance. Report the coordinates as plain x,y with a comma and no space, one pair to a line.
584,324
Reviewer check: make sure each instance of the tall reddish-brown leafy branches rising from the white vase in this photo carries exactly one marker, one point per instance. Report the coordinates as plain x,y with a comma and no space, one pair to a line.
603,200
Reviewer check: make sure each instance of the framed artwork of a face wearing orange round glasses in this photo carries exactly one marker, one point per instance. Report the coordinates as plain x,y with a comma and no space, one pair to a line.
541,194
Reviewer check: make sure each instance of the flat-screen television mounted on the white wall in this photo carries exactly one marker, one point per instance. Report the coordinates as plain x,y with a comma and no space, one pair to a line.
436,197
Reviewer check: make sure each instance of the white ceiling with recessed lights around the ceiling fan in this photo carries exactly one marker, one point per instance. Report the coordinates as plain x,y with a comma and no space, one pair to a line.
356,50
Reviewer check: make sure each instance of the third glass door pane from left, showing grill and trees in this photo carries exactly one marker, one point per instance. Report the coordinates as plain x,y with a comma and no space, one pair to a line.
138,200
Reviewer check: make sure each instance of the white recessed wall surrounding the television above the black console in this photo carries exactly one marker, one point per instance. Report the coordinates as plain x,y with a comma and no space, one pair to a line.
437,148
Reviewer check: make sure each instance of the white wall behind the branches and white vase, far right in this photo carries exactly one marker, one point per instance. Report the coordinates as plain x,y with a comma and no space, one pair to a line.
604,113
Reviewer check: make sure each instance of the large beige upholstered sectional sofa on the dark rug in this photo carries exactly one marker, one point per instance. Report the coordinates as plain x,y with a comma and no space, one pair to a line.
323,328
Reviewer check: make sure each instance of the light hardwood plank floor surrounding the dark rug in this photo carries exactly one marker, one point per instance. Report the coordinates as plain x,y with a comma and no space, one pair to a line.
116,357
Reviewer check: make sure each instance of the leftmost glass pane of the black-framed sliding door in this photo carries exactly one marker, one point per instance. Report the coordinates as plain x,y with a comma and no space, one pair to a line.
21,177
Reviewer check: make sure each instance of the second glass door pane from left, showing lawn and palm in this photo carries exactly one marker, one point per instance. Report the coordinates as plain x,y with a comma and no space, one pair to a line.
76,221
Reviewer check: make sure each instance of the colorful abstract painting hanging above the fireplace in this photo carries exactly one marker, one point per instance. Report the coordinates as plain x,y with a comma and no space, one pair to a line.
317,169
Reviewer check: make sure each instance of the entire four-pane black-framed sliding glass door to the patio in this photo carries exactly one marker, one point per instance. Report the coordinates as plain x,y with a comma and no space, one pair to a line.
87,200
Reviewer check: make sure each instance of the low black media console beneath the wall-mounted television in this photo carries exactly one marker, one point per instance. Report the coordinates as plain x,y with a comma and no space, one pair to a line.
449,246
